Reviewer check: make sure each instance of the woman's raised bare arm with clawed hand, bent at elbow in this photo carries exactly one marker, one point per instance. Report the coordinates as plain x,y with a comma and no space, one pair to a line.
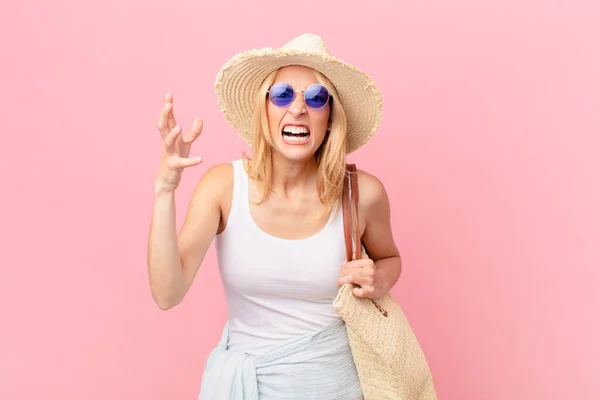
173,259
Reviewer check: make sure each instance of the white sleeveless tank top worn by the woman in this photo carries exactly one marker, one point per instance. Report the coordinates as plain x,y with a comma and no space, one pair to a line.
276,289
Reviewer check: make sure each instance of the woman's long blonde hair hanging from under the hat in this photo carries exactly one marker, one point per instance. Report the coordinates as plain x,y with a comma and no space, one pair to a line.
330,157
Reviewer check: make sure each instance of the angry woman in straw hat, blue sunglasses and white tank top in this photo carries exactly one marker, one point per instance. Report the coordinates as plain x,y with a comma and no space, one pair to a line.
275,222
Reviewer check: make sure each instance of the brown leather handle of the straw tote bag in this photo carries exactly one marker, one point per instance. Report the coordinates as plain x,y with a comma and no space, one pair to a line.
350,213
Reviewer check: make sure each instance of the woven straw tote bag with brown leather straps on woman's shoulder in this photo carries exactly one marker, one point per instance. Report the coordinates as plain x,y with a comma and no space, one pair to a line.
389,360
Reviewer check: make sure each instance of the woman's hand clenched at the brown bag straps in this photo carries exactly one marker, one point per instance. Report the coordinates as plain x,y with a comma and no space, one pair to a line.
363,272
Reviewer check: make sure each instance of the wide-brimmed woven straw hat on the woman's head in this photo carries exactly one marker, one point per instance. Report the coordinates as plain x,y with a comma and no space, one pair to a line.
241,77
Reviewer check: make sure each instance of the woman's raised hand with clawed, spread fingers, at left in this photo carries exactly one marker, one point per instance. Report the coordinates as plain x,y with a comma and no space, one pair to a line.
177,147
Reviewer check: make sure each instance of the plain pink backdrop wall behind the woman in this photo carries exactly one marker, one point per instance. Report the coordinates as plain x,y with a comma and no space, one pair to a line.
490,130
